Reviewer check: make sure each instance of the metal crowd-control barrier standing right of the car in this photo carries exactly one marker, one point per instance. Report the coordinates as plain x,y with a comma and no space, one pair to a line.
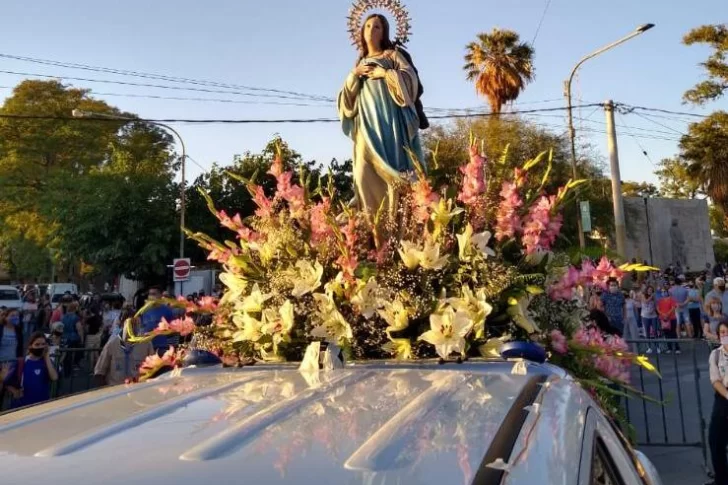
684,393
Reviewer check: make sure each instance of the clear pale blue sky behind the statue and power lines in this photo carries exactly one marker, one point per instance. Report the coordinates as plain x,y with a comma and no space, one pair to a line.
304,47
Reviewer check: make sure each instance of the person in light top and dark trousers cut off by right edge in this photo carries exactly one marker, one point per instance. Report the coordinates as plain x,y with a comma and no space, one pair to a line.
718,431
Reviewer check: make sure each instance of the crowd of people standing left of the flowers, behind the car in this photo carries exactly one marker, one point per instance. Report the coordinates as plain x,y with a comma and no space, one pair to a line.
82,334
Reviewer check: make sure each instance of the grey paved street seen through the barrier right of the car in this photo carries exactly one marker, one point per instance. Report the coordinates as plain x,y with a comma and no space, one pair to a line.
678,421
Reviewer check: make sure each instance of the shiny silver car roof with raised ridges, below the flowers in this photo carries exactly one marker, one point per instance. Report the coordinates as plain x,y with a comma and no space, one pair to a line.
417,423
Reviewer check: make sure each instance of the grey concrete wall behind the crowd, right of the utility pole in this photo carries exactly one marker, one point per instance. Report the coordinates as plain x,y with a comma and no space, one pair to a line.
677,230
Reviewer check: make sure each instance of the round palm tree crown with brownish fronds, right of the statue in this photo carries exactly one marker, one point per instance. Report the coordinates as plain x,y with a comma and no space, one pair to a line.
500,65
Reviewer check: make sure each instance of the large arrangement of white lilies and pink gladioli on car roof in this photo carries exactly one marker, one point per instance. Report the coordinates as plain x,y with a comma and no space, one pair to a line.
463,265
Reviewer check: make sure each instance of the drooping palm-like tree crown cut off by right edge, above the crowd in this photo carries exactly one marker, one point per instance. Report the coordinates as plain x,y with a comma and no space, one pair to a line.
705,149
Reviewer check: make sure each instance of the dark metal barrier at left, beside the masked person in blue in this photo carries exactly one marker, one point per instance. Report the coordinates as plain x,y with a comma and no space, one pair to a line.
75,368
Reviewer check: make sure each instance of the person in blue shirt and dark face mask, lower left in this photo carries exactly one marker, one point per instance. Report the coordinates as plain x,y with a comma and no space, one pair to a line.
31,384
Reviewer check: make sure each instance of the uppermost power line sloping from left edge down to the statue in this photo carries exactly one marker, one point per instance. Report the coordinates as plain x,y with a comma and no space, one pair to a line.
161,77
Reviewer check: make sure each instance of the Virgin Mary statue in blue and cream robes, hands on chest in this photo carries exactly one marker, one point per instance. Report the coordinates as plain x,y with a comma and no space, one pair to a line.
377,110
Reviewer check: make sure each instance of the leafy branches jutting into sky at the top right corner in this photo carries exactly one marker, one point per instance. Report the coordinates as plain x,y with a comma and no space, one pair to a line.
716,67
